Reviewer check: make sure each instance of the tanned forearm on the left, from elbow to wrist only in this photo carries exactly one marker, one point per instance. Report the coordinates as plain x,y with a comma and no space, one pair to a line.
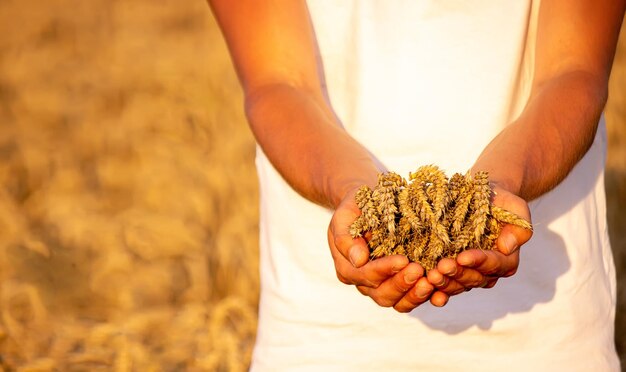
301,136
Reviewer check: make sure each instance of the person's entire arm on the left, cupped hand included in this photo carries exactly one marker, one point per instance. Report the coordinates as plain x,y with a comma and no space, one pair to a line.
273,48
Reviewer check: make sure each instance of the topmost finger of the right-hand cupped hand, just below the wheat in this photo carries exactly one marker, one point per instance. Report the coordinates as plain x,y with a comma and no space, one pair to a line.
490,262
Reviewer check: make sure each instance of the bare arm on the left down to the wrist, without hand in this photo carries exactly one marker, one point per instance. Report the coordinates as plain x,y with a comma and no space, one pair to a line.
275,54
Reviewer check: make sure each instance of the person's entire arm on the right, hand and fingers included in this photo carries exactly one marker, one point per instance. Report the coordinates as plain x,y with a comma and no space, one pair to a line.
576,43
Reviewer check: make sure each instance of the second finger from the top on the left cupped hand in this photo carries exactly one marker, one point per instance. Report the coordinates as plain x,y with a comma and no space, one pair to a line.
389,292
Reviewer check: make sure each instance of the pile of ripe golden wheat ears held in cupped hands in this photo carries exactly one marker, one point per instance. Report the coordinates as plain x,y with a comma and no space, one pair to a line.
430,217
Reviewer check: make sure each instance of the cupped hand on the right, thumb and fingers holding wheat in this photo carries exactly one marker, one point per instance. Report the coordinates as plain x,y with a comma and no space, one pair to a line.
476,268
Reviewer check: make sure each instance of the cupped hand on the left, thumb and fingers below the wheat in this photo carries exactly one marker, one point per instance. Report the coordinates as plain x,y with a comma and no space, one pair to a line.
389,281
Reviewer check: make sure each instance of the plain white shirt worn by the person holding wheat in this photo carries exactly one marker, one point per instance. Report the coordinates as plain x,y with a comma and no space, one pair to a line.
420,82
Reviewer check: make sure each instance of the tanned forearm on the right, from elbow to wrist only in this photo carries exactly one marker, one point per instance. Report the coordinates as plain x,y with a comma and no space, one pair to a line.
537,151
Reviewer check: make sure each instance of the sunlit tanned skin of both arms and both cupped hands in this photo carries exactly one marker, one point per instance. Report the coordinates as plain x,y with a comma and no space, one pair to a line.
273,47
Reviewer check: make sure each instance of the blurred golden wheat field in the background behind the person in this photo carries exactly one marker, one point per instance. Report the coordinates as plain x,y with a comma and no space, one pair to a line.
128,196
